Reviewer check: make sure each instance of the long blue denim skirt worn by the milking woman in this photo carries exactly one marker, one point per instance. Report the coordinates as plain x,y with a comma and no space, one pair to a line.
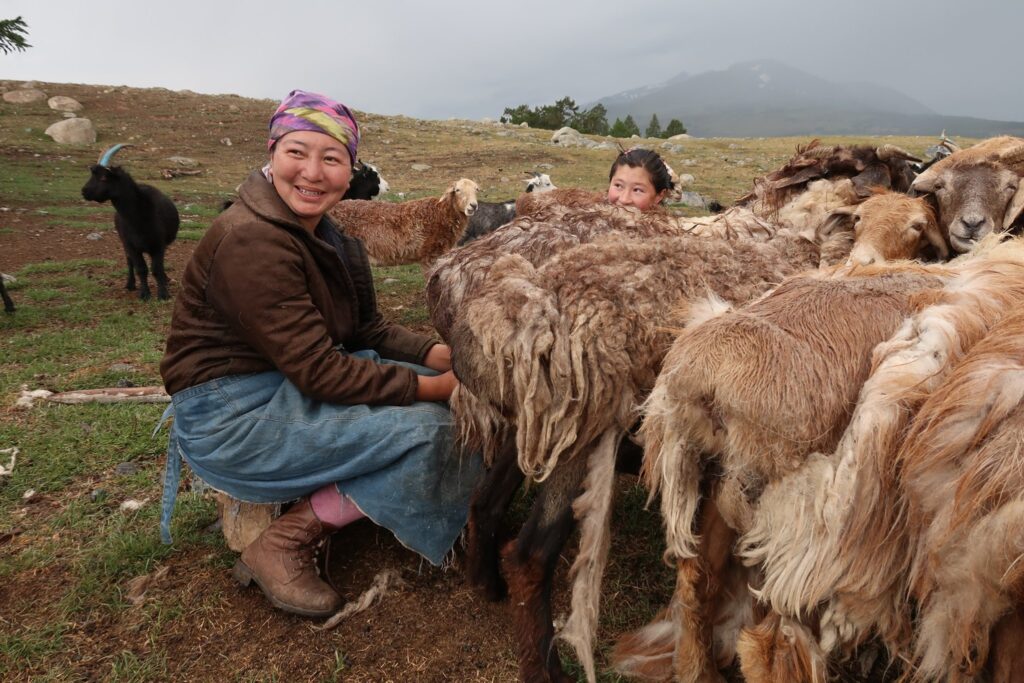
260,440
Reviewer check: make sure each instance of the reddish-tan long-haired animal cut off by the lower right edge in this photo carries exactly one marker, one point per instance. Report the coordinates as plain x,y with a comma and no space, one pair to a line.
964,480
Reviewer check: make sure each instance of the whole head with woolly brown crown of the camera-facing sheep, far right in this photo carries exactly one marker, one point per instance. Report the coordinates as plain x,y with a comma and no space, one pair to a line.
977,190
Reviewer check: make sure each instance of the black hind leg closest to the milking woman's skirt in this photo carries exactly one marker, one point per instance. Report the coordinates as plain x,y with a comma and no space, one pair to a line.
487,529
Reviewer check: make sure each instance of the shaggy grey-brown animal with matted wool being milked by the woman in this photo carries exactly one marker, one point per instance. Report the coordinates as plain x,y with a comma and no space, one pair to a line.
579,369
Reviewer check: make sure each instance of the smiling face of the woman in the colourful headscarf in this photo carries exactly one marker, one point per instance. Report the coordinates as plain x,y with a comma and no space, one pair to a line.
312,173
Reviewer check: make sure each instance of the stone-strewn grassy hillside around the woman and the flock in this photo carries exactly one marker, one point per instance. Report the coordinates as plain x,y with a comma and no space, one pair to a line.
88,592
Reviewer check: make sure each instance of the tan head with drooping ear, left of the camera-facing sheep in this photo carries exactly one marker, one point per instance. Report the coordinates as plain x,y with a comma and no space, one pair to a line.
890,227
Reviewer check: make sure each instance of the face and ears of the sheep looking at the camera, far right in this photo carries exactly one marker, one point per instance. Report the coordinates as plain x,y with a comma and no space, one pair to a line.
973,199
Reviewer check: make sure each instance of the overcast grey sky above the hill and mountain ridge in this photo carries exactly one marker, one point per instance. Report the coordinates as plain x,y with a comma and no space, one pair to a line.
470,60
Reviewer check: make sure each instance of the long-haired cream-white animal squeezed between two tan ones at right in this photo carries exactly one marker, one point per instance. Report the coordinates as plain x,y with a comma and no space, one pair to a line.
843,538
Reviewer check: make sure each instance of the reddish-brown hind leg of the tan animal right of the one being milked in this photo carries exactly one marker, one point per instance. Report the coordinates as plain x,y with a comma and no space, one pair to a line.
698,588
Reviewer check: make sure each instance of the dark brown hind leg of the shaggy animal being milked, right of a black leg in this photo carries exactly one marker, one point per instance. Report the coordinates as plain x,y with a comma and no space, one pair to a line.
530,568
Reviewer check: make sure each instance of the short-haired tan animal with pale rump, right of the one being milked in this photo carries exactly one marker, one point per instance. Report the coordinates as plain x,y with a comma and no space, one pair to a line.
719,395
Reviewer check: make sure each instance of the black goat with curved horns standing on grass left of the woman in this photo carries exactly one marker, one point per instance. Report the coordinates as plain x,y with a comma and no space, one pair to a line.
146,221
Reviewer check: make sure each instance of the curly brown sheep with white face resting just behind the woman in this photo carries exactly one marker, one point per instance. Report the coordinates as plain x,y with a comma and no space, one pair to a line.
414,232
